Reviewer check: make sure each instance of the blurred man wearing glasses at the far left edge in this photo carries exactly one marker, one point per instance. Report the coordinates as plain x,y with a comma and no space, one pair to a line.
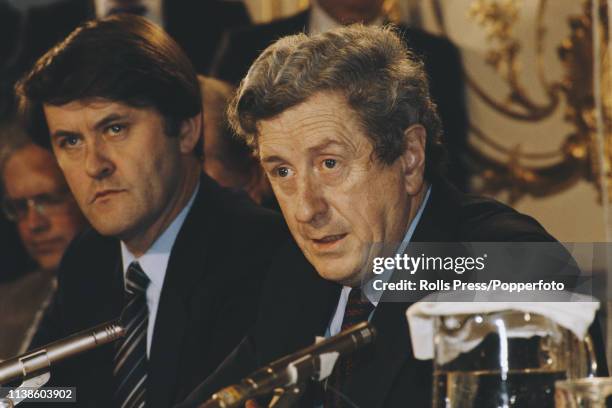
37,199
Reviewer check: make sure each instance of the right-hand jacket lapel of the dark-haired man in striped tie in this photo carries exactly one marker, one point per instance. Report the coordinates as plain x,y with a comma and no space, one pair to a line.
185,266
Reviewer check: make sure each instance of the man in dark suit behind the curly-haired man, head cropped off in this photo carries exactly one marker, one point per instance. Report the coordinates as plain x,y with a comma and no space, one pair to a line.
242,45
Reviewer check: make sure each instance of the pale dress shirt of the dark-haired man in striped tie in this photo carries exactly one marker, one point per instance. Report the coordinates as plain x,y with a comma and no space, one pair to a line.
154,263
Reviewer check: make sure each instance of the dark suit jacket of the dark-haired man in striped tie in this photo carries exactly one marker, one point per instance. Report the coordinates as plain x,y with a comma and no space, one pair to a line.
208,301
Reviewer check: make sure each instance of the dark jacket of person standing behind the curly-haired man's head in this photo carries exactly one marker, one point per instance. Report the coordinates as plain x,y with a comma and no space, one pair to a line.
241,46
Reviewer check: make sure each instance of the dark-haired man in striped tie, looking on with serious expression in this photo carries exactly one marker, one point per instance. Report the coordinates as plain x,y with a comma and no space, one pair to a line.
178,257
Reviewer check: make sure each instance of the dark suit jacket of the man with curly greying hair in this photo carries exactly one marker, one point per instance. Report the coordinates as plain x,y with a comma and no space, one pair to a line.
297,305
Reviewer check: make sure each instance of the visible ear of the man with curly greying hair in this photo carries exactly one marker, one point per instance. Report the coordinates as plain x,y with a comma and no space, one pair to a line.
413,158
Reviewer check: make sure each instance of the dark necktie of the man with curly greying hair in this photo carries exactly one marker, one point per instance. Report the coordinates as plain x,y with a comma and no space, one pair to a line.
358,309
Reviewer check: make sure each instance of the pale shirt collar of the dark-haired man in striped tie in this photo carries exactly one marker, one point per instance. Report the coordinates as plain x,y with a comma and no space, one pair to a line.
155,261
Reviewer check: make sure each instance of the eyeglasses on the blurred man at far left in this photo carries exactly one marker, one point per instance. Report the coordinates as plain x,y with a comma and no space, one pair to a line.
44,204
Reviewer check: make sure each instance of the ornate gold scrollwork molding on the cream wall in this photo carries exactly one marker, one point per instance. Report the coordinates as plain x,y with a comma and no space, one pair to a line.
588,146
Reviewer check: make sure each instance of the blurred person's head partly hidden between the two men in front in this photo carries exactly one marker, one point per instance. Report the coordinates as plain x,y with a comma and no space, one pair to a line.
227,159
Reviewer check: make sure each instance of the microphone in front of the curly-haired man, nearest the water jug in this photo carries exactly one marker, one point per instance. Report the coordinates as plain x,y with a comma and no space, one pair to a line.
314,361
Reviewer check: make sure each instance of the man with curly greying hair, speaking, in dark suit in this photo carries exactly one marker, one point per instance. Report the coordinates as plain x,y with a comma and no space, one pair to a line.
348,135
